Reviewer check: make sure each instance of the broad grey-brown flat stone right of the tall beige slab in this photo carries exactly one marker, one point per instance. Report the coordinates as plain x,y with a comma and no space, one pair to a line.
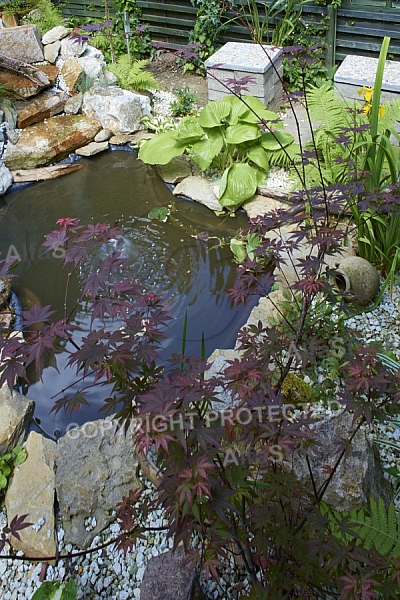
96,466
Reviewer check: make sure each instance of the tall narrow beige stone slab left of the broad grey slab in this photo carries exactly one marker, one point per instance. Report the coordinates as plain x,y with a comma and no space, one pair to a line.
32,490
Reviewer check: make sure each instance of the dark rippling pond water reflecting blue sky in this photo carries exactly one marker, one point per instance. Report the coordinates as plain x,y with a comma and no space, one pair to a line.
166,258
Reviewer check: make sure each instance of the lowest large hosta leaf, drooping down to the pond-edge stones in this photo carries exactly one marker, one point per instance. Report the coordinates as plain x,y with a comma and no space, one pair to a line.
238,183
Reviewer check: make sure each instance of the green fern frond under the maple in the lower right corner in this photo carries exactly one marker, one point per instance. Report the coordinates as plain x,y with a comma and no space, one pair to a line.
379,529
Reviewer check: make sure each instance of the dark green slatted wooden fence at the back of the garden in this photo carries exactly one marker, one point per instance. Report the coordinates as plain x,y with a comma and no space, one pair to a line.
357,27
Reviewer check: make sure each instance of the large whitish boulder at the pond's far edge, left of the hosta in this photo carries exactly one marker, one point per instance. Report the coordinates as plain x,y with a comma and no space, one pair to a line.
117,110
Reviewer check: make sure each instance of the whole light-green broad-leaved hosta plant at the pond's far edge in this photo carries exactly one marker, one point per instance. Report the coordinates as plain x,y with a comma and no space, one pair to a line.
237,137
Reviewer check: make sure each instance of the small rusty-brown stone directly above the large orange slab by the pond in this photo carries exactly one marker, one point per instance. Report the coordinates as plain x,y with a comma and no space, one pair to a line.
44,105
